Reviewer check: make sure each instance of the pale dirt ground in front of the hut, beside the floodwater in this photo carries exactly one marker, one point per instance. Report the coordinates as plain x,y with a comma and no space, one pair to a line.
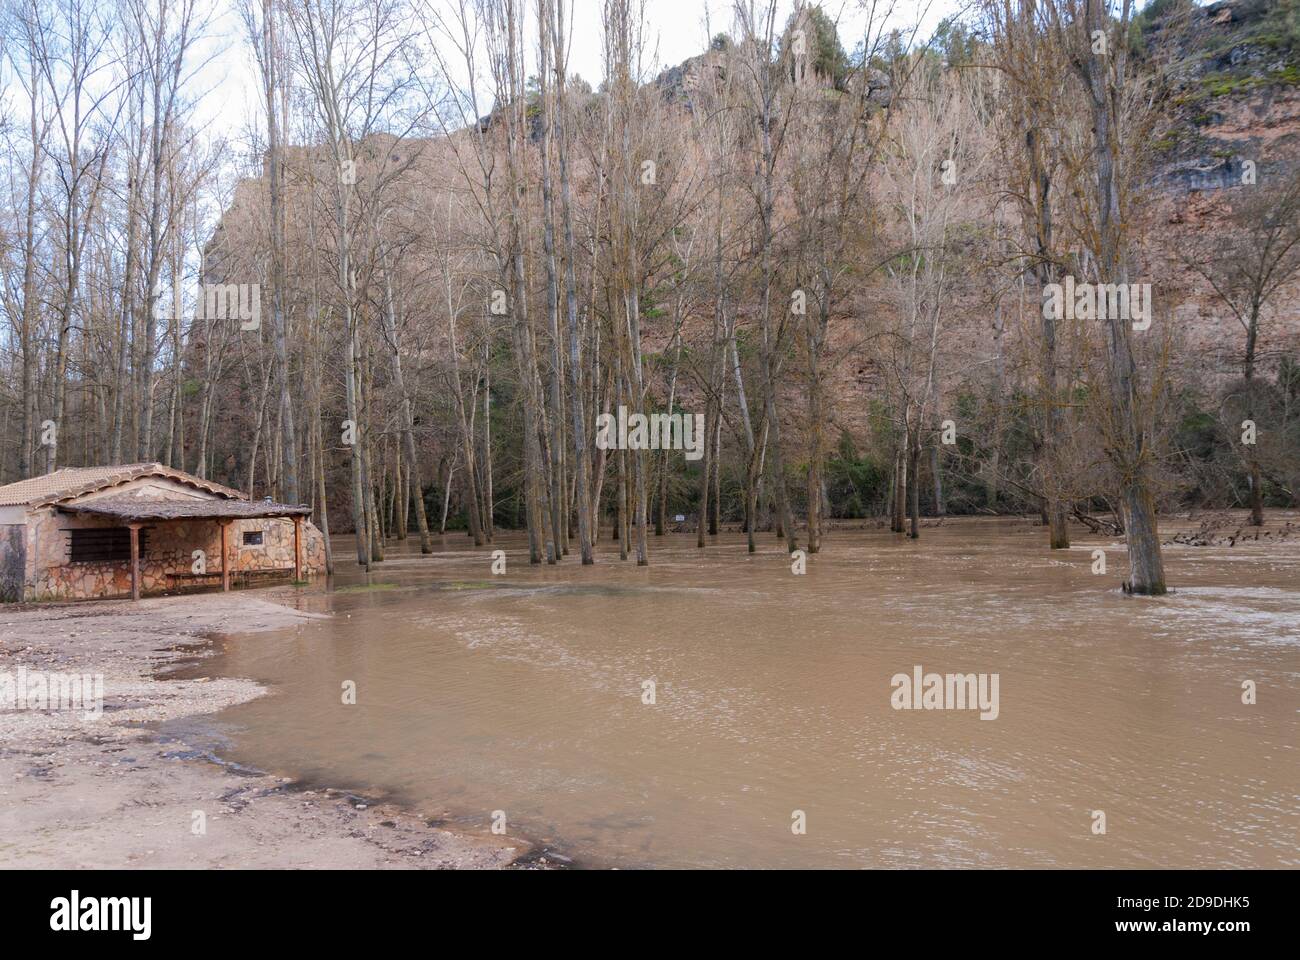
84,792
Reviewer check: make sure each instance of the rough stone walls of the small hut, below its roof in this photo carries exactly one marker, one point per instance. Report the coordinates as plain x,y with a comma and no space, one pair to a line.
170,550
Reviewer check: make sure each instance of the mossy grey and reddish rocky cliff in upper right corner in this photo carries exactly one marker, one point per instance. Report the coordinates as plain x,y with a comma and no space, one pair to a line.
1232,126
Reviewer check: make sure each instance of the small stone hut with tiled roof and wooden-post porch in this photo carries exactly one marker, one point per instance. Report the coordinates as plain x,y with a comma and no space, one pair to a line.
122,531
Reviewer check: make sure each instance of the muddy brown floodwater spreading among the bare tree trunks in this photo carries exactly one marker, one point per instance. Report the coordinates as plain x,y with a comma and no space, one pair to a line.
773,694
